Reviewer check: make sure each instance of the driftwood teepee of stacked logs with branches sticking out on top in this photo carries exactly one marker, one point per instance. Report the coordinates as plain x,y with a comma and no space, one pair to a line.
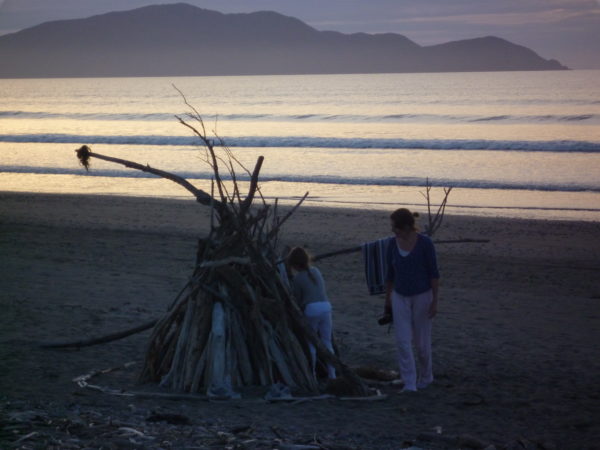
235,323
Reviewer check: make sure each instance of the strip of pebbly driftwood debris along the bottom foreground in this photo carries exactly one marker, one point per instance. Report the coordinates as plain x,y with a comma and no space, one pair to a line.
38,424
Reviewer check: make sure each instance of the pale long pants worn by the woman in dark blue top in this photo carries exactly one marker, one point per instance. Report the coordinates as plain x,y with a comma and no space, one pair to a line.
413,325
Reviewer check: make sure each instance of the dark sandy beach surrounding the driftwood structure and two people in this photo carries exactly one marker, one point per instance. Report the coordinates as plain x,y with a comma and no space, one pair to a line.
514,339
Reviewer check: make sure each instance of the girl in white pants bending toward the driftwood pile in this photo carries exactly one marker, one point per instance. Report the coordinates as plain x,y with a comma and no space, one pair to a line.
309,290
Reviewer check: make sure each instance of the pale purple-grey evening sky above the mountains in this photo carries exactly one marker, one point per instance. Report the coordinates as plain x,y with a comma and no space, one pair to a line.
566,30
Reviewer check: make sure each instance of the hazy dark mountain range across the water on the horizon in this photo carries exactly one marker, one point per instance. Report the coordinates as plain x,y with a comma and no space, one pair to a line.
180,39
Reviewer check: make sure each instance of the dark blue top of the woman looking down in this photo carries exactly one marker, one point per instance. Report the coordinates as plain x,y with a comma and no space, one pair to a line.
412,274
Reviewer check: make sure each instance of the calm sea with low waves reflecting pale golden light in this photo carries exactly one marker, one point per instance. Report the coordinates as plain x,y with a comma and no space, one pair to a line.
518,144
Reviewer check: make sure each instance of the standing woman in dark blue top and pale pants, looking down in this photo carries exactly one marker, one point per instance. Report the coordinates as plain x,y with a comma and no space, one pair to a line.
412,296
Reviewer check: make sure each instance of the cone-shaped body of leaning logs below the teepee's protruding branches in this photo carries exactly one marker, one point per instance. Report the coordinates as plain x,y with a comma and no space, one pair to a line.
236,322
